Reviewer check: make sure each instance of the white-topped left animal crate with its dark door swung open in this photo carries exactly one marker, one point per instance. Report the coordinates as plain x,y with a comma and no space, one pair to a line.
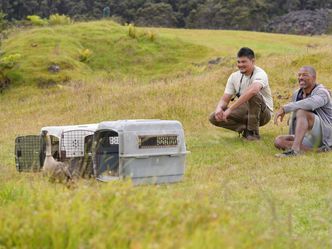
68,143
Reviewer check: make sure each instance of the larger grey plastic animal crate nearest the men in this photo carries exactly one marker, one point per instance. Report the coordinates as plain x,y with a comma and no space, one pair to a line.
147,151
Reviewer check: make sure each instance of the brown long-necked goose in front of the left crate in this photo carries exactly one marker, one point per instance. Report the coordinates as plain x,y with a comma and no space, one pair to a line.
56,171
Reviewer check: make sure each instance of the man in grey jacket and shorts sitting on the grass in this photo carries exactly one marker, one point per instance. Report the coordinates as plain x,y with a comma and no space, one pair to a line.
311,122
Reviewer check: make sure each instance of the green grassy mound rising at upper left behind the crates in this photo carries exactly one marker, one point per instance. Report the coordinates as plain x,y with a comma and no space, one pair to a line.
113,53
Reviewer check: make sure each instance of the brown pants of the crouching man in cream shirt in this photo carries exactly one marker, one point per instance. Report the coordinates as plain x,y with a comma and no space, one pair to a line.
250,115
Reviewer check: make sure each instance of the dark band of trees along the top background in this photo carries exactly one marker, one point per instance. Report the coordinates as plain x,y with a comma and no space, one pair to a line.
207,14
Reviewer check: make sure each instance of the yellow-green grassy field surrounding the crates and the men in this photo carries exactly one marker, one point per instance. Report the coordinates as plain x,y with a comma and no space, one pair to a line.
235,194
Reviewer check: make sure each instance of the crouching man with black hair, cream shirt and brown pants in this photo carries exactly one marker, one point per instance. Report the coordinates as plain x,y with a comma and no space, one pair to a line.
254,105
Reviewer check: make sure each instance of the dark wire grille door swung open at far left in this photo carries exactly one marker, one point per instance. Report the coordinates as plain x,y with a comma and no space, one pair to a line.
27,150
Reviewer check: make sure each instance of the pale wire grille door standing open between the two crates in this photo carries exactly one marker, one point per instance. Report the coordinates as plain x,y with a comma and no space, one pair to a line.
72,142
